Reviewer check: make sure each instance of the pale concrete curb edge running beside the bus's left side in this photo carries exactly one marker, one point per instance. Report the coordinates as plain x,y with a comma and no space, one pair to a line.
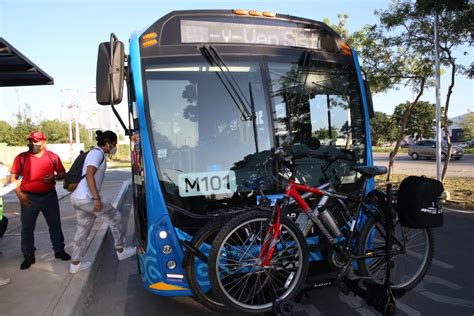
74,292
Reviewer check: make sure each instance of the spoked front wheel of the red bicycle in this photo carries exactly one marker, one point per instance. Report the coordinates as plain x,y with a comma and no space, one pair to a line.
237,276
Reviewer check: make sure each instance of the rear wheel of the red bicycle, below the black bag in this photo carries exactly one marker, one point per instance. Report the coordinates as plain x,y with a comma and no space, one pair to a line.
412,253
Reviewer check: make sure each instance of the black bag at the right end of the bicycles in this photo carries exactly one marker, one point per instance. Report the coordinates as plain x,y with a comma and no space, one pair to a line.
419,202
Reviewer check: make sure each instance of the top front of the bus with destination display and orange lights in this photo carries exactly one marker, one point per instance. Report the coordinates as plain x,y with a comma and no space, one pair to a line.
241,27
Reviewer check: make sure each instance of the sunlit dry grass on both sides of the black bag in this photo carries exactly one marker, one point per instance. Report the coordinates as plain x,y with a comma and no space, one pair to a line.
460,189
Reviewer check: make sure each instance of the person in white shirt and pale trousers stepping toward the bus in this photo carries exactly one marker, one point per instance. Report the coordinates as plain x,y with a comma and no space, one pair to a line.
89,204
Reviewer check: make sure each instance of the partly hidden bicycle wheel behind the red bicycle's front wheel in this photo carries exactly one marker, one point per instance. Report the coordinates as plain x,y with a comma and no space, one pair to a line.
196,269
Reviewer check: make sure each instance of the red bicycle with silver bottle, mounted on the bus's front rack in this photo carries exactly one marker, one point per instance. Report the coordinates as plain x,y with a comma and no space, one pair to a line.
260,258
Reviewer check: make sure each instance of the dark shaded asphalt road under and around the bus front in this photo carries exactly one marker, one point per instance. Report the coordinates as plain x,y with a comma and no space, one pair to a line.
448,289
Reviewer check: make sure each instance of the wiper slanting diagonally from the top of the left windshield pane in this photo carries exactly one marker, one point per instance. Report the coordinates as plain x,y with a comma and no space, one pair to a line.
229,82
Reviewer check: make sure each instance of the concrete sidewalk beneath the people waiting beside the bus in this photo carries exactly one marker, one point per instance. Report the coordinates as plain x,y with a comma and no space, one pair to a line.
47,288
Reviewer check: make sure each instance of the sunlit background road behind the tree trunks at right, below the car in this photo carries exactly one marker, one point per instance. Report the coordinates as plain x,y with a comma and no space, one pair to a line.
463,168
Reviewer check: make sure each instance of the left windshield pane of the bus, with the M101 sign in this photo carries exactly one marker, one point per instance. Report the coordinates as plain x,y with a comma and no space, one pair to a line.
200,135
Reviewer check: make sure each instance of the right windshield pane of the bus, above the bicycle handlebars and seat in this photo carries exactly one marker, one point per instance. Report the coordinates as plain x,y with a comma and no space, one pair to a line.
320,102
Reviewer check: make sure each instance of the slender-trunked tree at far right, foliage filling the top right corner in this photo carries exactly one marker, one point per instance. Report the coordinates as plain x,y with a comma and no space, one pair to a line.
416,22
